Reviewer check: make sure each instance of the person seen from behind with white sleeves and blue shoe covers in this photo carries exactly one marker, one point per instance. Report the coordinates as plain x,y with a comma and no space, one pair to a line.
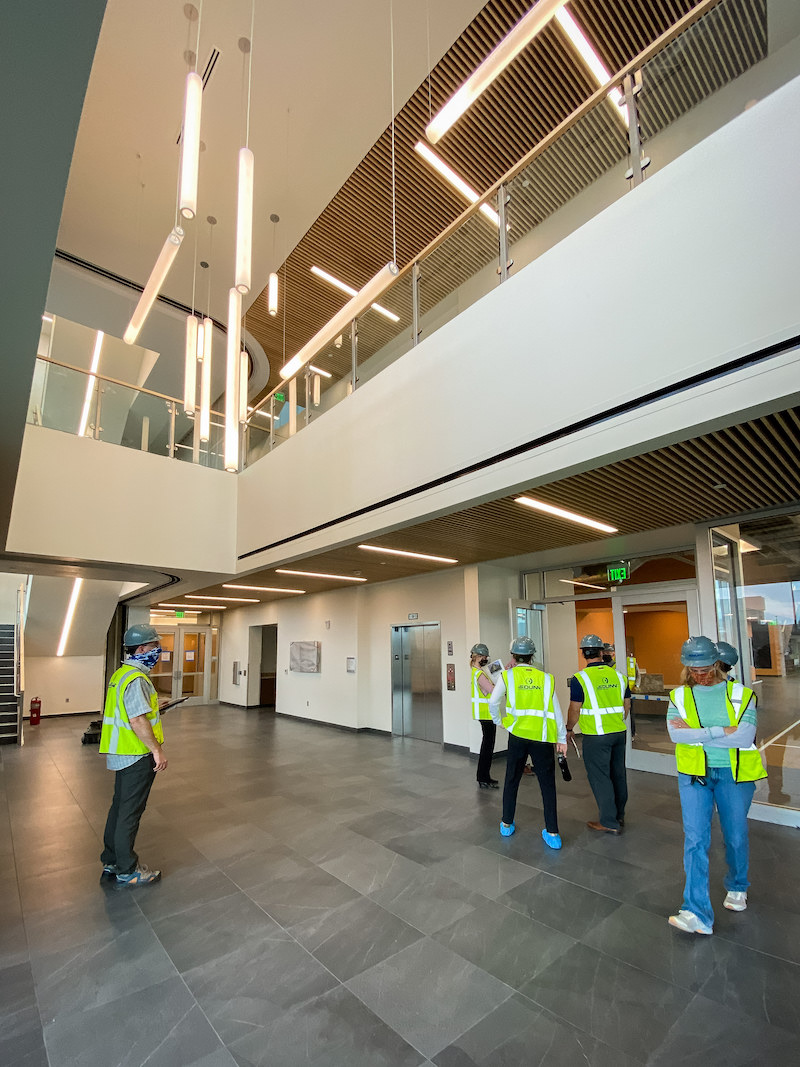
536,727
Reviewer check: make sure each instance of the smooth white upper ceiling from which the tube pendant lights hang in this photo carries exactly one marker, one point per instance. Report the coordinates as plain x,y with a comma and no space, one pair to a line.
322,99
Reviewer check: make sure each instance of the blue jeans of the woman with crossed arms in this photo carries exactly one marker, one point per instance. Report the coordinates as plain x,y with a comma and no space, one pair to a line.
697,803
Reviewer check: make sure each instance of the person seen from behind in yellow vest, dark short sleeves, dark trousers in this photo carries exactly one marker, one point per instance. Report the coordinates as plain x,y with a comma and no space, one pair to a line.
600,700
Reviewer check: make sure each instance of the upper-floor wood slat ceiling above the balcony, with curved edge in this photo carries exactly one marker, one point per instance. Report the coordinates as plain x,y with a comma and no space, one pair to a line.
353,238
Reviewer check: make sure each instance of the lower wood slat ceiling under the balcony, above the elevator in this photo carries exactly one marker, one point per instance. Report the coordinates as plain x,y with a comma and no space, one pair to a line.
757,463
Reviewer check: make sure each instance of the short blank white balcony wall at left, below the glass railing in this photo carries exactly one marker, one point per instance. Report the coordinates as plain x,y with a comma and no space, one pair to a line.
79,499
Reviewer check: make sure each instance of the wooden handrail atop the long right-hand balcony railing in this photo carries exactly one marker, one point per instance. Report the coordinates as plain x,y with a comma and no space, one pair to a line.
615,83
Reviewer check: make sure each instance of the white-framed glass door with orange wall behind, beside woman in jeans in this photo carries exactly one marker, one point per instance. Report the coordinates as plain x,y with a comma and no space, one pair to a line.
650,630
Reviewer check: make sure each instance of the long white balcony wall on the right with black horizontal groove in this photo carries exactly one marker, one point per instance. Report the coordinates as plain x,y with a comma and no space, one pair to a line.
691,249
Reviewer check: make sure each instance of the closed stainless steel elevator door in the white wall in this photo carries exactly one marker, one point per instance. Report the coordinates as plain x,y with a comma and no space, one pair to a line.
417,682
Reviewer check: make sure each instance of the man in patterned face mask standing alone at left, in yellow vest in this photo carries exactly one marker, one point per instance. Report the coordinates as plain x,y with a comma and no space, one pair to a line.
132,739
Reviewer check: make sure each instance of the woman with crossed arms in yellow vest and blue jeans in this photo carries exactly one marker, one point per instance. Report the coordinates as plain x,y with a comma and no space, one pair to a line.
713,724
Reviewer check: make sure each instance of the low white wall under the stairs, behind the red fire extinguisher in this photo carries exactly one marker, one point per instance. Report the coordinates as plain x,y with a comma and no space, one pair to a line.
67,686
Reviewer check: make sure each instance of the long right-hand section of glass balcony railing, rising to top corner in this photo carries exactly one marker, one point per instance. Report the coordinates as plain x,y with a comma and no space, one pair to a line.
605,148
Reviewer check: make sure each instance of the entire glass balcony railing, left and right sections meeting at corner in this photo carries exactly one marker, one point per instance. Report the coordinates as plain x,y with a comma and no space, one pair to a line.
716,60
